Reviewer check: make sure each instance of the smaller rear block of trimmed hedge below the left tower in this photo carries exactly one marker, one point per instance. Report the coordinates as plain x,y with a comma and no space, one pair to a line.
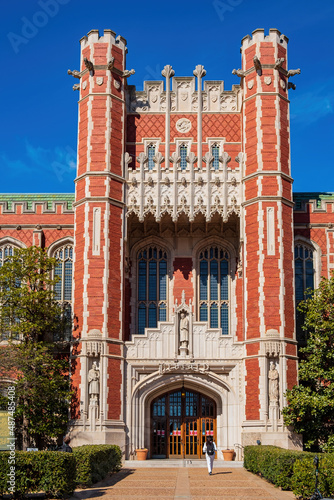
95,462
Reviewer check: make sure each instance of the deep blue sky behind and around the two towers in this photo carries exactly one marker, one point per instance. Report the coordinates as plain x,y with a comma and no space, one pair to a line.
39,108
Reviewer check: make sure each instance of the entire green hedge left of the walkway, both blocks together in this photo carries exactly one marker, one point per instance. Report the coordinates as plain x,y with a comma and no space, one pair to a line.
58,473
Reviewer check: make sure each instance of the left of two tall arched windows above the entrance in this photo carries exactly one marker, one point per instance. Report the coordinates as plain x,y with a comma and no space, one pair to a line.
152,287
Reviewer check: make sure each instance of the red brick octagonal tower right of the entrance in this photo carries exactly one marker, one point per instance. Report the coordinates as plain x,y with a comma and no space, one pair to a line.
268,229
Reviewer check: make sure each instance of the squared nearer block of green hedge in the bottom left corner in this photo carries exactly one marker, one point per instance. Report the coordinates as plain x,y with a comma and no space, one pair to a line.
48,471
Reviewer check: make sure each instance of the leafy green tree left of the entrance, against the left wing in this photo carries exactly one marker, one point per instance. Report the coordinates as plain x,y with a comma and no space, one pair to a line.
31,319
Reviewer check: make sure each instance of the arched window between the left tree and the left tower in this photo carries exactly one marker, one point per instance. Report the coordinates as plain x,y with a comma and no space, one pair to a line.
63,289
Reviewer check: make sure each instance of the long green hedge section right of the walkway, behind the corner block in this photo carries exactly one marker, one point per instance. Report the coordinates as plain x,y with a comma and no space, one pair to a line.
273,463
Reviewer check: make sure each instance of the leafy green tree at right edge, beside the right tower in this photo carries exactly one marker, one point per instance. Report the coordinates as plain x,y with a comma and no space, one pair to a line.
310,407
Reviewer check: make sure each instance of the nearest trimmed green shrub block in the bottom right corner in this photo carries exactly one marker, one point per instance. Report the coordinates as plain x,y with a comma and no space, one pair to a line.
303,479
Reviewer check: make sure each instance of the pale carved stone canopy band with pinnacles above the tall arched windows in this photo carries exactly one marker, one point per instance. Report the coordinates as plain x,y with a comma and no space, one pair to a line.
190,191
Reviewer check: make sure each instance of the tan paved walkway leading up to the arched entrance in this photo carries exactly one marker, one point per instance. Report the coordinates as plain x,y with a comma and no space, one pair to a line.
183,483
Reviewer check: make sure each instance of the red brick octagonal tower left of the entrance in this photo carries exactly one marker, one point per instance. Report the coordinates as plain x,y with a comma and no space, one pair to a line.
98,272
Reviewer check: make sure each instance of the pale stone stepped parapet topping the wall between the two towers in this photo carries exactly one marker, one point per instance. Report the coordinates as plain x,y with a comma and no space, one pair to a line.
184,97
